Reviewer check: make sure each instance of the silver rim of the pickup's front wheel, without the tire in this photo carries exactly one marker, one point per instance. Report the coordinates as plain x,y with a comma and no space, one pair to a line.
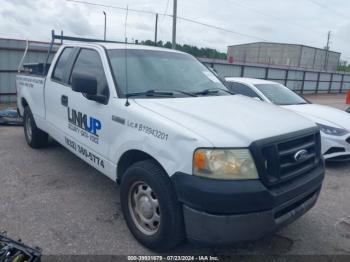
144,208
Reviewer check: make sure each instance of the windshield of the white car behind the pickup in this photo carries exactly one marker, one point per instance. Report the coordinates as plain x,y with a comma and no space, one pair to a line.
280,95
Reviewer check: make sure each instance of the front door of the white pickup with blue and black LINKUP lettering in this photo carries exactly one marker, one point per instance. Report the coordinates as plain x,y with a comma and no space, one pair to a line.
87,119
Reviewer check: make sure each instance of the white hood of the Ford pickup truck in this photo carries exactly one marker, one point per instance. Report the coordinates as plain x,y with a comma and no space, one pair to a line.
227,121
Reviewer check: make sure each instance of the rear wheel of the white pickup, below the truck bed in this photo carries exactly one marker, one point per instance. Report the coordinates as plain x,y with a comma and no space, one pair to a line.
35,137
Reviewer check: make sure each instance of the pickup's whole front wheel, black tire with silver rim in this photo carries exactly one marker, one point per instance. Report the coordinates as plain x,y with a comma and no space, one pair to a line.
150,206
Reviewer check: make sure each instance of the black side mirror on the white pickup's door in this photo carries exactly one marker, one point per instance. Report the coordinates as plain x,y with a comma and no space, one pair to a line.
83,83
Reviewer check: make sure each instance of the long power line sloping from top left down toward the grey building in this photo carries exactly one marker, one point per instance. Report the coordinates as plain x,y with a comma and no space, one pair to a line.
168,15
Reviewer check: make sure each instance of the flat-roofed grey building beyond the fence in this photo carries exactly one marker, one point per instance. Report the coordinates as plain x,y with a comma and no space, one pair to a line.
279,54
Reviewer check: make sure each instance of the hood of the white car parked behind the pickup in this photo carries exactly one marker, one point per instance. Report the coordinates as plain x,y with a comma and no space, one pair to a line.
323,114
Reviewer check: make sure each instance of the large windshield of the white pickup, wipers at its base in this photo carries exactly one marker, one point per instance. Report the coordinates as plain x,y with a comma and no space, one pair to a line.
152,73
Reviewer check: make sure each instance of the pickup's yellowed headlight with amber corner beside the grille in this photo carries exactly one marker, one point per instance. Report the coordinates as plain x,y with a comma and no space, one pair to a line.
230,164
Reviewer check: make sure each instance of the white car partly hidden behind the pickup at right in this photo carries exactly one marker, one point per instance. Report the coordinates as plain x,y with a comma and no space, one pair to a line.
334,123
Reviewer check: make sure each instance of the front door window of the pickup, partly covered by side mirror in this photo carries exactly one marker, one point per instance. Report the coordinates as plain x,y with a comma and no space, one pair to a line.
89,62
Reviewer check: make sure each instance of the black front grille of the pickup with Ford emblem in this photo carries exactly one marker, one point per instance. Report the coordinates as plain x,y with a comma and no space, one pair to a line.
276,161
